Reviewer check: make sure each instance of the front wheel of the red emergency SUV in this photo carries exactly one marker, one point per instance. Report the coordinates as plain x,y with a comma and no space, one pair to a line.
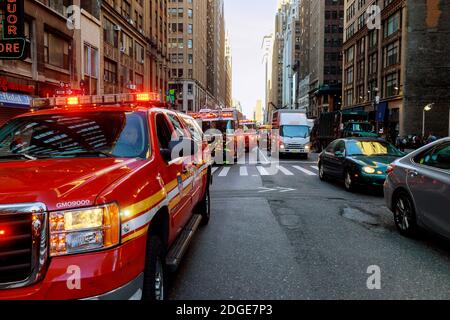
154,272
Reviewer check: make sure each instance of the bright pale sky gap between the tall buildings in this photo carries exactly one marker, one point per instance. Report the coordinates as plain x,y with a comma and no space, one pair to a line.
247,22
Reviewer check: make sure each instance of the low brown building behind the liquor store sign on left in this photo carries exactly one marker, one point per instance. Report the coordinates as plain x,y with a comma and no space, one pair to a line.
54,61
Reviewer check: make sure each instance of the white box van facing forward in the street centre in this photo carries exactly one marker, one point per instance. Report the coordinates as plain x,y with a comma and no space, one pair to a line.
294,132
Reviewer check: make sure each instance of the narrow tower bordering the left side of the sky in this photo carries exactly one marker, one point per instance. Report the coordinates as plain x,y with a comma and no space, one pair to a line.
216,74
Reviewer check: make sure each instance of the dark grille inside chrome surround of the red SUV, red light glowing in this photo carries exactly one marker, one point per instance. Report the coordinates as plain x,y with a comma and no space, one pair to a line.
15,247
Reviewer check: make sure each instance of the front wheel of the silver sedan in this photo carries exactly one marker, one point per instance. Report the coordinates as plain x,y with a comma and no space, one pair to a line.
405,215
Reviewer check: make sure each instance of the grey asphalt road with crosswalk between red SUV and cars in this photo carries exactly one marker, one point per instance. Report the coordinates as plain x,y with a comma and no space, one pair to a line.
291,236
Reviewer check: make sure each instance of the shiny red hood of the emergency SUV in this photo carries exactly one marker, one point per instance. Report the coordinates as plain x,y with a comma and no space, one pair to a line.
60,183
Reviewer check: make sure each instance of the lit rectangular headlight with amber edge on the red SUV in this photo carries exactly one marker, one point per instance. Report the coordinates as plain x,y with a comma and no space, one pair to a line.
84,230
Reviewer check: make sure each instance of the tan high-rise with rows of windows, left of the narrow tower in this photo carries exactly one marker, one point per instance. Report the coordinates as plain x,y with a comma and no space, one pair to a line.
188,54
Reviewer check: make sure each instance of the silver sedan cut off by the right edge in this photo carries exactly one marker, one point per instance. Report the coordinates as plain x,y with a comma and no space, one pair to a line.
417,190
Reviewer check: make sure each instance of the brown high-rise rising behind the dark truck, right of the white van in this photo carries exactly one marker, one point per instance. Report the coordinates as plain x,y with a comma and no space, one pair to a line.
326,22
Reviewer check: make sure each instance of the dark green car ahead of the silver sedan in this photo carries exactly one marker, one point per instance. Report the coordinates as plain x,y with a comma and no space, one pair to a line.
358,161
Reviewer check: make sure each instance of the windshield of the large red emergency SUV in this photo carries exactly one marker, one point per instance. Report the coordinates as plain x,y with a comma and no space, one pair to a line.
105,134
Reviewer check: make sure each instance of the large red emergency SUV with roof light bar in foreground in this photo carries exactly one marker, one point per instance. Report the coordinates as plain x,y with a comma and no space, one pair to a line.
99,197
